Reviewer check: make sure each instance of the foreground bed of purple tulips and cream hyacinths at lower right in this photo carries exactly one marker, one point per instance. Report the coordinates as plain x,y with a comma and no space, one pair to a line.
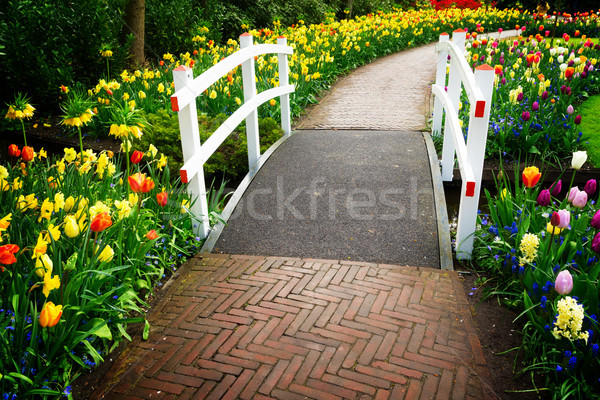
541,245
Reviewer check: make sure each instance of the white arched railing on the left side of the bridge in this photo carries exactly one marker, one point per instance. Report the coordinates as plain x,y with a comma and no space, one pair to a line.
183,100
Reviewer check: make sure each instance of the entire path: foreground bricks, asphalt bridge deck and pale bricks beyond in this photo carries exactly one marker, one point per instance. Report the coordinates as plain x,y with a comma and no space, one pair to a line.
276,327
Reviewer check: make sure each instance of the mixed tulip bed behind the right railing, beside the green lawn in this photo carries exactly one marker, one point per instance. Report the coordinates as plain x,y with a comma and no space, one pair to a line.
537,89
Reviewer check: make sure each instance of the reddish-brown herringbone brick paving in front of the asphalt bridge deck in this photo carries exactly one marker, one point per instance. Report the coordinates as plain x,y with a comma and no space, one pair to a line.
279,328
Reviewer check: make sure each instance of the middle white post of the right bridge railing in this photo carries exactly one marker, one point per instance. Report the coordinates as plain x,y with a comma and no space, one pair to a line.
454,89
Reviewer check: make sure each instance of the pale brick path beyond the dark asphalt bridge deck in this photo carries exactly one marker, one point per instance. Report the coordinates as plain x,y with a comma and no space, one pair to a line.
391,93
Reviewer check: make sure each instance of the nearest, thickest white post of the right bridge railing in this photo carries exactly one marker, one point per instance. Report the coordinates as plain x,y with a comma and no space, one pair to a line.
476,141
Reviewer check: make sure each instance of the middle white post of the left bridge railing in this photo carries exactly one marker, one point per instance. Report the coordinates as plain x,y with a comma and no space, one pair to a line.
249,82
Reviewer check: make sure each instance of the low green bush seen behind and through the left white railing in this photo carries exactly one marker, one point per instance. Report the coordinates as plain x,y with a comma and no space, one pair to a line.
231,158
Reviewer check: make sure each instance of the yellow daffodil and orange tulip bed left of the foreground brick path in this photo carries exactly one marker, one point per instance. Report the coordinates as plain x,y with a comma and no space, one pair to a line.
83,240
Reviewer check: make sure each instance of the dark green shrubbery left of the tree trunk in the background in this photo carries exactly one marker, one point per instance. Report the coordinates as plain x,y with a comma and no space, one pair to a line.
49,43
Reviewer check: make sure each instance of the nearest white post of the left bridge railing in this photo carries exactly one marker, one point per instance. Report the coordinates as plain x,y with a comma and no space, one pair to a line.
190,145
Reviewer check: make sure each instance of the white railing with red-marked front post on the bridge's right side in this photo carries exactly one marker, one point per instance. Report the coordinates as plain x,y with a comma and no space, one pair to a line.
470,155
